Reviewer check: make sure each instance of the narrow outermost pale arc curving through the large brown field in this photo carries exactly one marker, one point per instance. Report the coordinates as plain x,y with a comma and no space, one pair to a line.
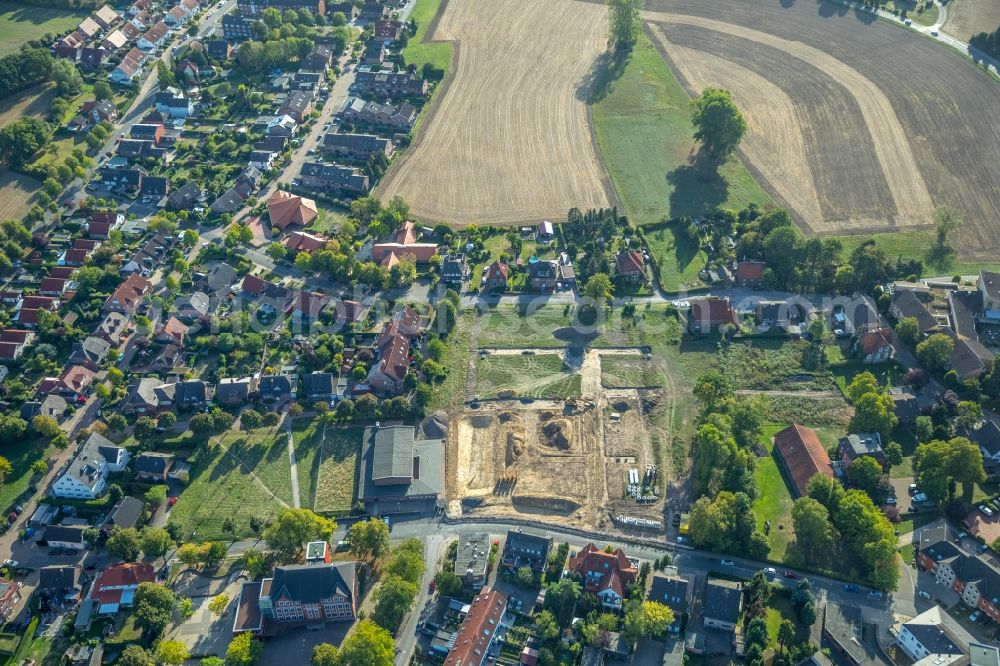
909,193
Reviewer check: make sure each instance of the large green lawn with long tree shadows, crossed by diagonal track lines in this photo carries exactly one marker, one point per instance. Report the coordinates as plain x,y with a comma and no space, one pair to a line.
240,476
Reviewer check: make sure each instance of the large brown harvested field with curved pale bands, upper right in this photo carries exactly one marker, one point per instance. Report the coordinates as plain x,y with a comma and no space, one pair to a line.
835,134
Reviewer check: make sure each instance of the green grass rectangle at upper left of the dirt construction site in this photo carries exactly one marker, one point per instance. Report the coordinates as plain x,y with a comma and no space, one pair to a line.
534,376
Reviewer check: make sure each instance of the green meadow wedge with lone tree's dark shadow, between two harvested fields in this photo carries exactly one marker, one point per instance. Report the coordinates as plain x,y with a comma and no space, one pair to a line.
642,119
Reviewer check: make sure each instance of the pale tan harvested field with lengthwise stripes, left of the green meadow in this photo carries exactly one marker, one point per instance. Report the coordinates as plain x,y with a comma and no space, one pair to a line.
508,139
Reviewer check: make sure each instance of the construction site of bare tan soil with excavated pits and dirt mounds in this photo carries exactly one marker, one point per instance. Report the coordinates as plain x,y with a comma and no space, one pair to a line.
586,460
